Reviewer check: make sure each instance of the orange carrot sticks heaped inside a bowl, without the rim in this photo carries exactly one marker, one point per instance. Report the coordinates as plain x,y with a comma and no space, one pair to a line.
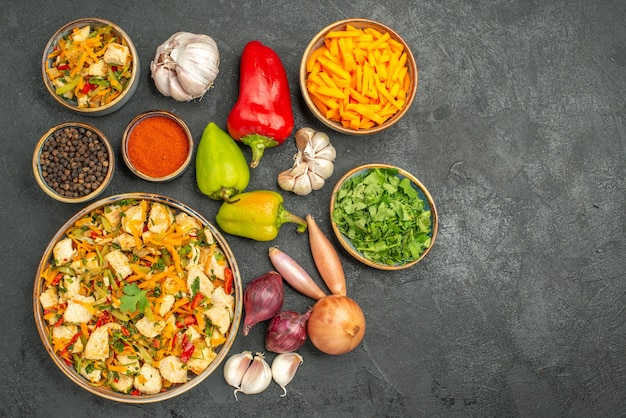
358,78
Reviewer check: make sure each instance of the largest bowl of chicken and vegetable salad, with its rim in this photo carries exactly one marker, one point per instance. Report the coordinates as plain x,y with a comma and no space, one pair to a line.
137,298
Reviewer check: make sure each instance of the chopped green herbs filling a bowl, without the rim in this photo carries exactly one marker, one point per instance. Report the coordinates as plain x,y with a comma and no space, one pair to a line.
383,216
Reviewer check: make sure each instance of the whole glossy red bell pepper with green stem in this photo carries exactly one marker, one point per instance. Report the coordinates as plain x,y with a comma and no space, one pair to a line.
262,116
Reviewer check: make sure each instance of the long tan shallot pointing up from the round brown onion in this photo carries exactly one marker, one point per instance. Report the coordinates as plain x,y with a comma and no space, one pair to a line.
326,259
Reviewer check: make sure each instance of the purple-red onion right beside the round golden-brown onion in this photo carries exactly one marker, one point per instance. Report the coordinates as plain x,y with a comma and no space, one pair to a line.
287,332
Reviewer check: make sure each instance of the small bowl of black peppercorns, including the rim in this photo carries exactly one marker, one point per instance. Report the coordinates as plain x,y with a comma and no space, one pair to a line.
73,162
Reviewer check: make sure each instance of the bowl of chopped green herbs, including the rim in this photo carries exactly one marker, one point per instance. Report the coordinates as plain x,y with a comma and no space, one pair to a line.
383,216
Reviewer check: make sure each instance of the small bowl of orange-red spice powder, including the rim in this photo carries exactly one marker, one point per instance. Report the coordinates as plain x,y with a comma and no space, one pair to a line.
157,146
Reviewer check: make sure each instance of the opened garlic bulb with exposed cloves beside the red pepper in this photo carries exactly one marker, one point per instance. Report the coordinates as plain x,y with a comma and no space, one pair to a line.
313,163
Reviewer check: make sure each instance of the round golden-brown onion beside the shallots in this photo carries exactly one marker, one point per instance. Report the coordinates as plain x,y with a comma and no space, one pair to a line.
336,325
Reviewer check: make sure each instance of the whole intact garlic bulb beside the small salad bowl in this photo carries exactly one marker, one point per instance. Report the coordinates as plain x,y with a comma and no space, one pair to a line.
185,66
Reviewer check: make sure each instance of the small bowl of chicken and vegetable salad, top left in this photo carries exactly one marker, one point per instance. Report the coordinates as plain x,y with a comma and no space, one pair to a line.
90,66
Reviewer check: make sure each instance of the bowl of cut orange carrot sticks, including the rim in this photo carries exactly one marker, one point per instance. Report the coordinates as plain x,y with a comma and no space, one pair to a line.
358,76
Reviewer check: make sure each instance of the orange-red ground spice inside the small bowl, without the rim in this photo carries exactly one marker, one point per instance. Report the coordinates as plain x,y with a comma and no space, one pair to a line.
157,146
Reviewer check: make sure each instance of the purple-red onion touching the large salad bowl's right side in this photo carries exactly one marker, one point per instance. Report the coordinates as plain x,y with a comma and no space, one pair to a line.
262,299
